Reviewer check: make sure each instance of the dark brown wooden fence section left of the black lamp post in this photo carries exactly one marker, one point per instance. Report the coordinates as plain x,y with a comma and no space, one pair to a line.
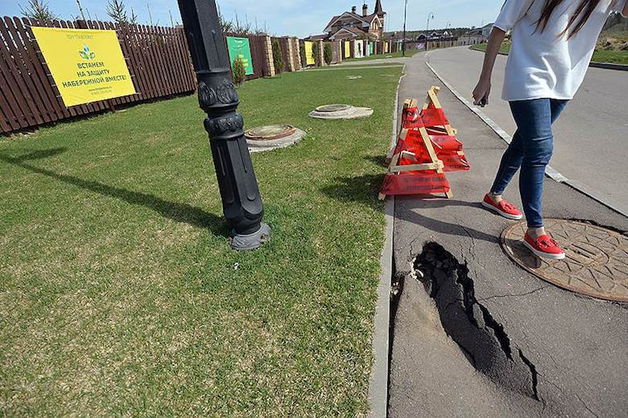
157,57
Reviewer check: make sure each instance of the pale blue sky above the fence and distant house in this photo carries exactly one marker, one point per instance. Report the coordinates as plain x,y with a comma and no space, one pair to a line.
295,17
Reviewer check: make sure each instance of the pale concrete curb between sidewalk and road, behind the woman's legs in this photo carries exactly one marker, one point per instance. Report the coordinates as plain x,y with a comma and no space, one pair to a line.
550,172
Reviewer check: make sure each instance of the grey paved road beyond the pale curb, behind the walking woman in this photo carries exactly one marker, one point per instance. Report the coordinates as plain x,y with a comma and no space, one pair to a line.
592,134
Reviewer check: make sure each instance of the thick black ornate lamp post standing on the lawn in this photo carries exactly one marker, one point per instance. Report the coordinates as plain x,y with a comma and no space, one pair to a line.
241,201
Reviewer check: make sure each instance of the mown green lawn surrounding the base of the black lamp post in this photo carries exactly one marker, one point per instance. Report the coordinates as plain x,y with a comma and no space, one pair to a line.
119,294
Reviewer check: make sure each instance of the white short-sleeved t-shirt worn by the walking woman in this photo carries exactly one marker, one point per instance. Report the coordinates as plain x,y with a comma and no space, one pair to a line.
541,64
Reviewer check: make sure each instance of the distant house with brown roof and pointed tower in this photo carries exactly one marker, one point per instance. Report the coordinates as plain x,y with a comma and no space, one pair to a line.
351,25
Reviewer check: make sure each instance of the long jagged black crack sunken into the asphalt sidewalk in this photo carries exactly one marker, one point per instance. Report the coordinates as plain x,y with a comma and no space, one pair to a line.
481,337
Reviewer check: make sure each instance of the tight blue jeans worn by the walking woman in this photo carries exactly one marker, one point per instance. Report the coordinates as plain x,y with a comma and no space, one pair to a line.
531,150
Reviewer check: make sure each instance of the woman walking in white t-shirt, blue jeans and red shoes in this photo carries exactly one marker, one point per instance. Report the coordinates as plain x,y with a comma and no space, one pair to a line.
552,45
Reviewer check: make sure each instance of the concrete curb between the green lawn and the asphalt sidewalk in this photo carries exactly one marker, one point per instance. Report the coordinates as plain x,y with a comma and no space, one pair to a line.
378,382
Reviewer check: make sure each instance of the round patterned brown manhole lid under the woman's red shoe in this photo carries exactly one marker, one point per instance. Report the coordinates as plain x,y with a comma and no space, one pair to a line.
596,264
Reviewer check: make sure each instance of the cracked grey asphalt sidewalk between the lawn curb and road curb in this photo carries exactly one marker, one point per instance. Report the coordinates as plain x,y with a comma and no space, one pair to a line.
527,348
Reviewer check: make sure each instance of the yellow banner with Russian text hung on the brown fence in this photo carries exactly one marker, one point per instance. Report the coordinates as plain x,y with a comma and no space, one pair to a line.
87,65
